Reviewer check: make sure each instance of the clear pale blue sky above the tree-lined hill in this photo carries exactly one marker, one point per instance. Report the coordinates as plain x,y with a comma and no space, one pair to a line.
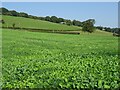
105,13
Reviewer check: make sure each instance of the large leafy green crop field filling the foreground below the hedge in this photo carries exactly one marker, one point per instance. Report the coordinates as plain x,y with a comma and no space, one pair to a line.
48,60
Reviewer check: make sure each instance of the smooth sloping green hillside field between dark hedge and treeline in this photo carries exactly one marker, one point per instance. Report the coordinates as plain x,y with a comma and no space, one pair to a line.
35,24
